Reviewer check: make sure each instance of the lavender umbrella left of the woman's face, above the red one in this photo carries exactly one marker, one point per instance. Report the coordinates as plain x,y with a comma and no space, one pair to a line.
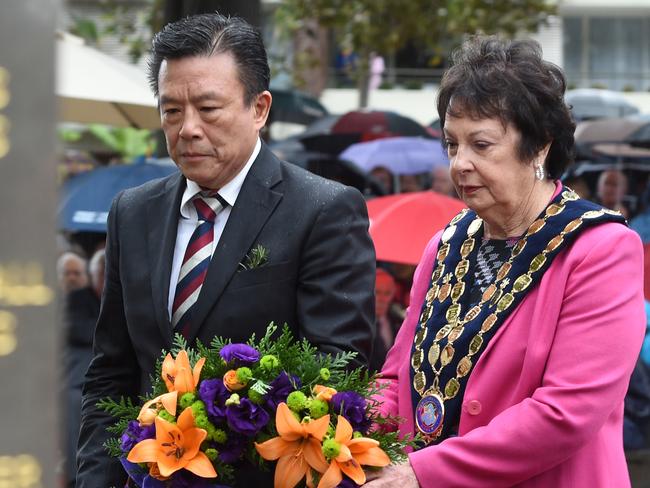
401,155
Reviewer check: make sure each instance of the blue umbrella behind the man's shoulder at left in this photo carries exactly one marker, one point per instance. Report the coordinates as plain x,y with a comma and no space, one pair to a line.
86,198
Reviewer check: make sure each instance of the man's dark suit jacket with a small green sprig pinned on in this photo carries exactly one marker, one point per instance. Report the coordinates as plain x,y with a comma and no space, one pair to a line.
319,279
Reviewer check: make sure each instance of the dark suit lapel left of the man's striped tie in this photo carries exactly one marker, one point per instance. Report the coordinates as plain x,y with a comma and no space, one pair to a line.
163,212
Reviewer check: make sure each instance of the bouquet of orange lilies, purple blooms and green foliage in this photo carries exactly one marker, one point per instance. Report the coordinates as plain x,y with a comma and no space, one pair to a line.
277,399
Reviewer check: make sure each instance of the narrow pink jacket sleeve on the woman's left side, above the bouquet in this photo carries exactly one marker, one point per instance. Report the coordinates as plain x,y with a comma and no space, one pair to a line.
401,350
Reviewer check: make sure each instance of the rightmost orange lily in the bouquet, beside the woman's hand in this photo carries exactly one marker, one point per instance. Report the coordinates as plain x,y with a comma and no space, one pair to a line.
354,453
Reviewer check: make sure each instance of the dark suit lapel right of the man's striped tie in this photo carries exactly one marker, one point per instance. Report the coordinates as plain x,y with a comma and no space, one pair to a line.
255,203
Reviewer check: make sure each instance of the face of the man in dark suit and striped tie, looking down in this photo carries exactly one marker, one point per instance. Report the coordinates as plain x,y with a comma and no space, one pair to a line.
210,130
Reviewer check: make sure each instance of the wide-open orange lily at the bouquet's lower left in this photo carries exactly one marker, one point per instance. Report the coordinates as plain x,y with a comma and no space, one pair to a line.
175,447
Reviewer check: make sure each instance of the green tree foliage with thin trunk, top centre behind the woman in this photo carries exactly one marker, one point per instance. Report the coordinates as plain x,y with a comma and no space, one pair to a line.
384,26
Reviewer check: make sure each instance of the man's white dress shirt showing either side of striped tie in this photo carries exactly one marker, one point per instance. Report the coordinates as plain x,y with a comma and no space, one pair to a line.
188,221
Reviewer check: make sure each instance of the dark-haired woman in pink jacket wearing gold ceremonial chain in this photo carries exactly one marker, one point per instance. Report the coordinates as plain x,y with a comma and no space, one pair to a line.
526,313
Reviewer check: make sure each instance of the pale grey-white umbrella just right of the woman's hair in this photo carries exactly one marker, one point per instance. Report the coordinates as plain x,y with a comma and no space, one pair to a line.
589,103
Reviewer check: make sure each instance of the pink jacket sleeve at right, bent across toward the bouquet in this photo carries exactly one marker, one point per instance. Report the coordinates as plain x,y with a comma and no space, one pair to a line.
597,340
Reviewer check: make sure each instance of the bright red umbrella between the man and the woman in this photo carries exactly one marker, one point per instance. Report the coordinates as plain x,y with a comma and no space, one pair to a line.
402,225
